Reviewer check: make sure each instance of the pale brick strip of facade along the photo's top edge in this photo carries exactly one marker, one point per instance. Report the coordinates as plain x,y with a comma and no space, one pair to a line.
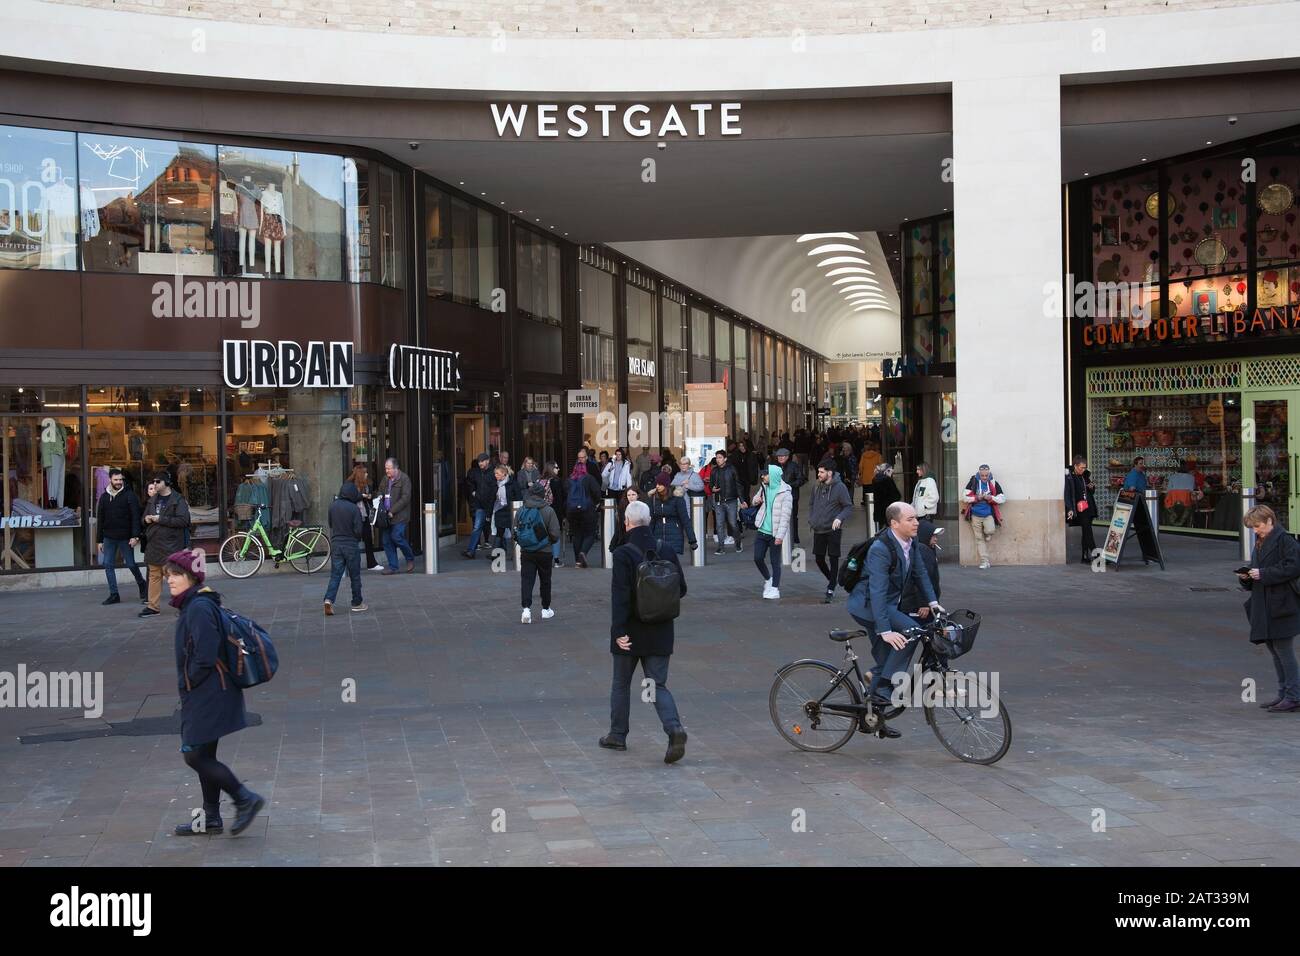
658,20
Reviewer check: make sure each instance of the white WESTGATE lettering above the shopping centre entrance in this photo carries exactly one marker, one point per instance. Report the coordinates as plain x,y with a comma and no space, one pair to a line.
582,120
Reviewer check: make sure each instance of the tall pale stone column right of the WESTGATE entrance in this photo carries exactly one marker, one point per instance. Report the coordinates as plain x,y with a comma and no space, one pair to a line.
1011,373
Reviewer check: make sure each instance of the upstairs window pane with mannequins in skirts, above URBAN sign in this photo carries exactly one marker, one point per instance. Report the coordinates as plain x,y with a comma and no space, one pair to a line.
283,214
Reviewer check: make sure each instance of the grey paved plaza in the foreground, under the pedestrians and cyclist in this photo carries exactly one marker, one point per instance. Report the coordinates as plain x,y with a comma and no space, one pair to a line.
1125,691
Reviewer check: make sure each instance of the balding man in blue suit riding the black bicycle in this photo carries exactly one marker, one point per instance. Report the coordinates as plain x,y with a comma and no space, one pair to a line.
892,565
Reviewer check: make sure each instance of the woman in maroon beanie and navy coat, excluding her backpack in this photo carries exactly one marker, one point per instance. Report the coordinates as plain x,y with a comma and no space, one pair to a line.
211,703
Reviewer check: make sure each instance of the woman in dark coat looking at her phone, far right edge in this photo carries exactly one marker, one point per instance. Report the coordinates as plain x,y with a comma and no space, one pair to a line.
1273,609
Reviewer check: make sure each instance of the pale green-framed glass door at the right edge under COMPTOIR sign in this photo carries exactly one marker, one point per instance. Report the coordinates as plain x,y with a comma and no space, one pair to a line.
1273,466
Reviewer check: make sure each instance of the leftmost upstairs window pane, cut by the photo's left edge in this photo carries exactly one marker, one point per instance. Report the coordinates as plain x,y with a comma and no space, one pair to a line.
40,200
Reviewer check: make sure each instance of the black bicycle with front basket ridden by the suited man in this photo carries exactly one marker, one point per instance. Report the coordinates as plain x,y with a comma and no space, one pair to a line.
817,708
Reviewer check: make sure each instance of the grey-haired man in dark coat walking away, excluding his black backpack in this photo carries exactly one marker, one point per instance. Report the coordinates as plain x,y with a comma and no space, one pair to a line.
632,641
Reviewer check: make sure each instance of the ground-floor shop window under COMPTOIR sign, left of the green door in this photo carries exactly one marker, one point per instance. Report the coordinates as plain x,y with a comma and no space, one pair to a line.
1191,461
